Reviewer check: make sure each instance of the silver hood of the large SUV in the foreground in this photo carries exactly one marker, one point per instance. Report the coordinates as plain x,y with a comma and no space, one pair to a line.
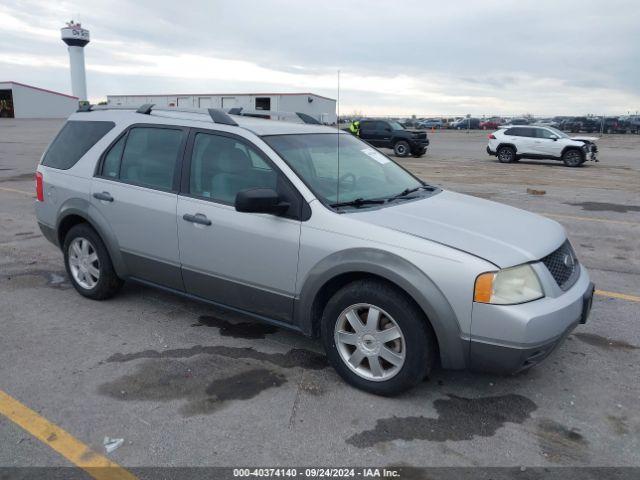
504,235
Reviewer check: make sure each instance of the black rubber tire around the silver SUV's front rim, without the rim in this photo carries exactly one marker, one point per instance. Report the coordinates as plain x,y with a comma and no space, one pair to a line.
419,338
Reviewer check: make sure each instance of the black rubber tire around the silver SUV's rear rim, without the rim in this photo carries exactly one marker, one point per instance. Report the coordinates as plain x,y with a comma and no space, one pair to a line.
108,282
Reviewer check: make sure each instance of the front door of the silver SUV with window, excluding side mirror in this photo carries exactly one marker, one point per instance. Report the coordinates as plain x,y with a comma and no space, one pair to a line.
246,261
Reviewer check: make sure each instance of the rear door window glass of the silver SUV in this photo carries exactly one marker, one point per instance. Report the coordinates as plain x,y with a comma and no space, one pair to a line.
150,155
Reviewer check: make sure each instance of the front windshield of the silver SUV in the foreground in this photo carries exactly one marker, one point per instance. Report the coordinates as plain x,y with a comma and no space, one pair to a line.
364,173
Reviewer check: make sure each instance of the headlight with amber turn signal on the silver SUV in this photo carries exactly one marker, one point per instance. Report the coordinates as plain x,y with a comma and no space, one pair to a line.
508,286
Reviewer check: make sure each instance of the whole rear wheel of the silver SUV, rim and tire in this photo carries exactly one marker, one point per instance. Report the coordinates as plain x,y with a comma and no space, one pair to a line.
88,264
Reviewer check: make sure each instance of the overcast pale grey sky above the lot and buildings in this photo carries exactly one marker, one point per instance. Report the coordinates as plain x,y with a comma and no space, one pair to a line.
396,57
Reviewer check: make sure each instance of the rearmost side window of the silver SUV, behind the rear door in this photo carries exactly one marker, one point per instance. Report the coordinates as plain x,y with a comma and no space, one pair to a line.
74,140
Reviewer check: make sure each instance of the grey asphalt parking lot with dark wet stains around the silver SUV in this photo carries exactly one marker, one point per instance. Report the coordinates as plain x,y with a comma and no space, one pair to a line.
186,385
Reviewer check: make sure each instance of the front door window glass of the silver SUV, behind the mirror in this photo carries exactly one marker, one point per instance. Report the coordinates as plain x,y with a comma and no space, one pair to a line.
222,166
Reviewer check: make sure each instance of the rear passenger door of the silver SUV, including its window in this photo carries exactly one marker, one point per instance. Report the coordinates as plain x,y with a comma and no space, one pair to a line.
135,190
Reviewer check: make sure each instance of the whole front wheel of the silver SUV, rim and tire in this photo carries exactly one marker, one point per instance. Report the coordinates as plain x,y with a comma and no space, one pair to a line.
376,338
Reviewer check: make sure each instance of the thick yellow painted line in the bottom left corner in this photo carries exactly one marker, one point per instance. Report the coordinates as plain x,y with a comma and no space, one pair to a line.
97,466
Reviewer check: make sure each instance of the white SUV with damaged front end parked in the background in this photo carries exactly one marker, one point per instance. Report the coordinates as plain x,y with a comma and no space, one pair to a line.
511,143
